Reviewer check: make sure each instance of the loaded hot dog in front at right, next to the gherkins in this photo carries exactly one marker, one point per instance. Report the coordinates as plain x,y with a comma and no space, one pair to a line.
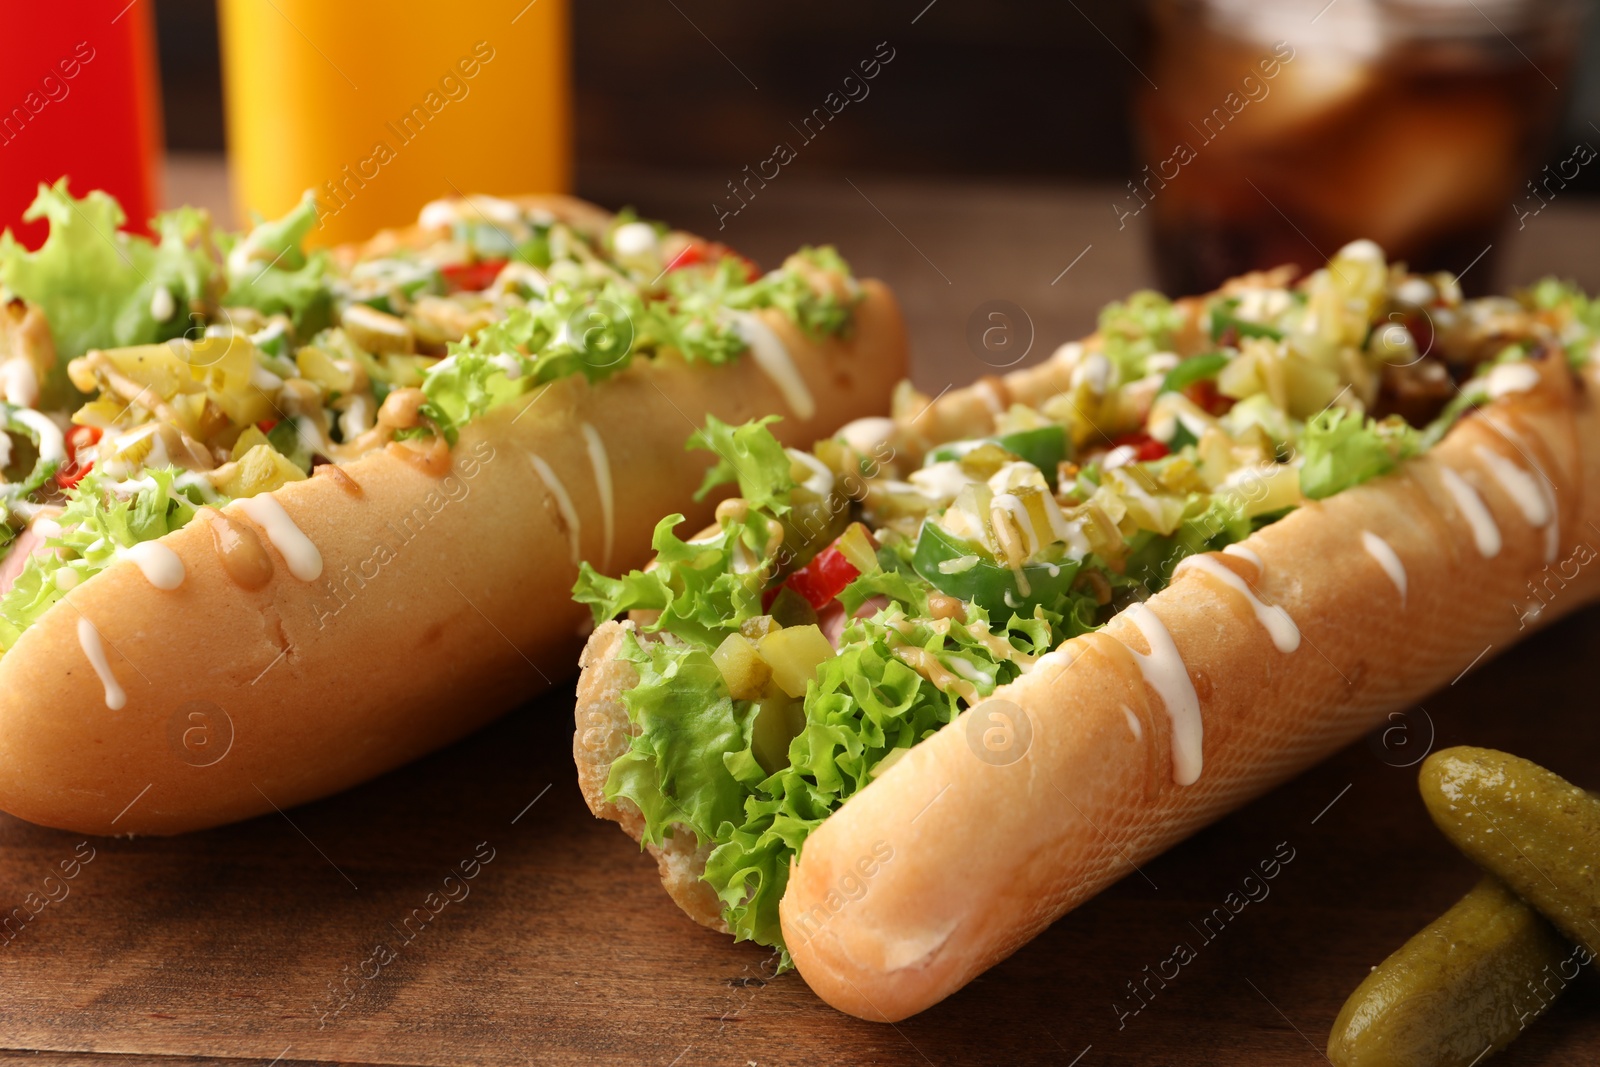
1052,625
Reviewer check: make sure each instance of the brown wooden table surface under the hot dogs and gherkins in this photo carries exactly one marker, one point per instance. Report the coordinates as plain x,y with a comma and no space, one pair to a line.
234,946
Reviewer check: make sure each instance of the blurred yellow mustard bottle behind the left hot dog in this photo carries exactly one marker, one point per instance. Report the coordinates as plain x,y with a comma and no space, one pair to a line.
380,108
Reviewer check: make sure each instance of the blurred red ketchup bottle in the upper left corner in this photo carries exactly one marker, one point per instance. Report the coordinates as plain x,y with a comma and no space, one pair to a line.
79,98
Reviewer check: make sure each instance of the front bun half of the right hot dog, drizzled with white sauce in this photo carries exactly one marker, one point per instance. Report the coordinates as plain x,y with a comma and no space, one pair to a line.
985,857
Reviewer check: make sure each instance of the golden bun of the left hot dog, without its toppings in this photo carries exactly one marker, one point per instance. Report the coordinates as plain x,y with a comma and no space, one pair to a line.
442,601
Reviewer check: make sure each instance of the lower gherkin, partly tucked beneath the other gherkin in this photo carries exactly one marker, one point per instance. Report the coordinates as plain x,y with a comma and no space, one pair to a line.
1466,985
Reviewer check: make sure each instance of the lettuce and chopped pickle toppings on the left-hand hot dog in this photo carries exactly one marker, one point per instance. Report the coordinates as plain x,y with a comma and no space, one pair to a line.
145,378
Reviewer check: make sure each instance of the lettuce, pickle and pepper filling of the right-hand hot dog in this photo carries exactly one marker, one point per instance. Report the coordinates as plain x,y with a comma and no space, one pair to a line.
1178,430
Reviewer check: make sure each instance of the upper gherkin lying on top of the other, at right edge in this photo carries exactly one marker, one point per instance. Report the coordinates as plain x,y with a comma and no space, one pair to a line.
1532,829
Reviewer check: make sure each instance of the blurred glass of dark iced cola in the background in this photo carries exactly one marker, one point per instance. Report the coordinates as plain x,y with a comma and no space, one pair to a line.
1276,134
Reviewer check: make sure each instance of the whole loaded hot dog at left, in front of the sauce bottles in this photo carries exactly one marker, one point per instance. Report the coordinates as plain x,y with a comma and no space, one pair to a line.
314,514
